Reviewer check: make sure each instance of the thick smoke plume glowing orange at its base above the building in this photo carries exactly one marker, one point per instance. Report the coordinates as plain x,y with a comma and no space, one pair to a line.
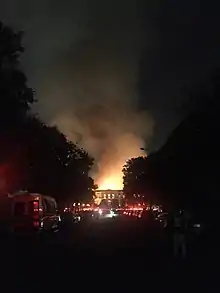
86,73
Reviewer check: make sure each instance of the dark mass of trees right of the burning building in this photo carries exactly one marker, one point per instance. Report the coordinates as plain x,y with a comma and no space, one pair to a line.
185,171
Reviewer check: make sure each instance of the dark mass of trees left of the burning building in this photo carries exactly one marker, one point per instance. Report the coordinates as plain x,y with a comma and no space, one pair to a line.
33,155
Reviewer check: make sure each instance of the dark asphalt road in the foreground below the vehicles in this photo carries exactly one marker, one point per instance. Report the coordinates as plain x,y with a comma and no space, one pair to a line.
105,255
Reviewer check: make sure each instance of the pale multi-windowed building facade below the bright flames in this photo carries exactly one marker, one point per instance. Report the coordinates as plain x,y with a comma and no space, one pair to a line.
116,196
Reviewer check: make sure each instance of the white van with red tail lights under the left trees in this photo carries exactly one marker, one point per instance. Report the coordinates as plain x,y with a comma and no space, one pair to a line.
34,211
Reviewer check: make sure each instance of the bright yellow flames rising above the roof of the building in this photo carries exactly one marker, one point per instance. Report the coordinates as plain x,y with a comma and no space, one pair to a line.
114,182
